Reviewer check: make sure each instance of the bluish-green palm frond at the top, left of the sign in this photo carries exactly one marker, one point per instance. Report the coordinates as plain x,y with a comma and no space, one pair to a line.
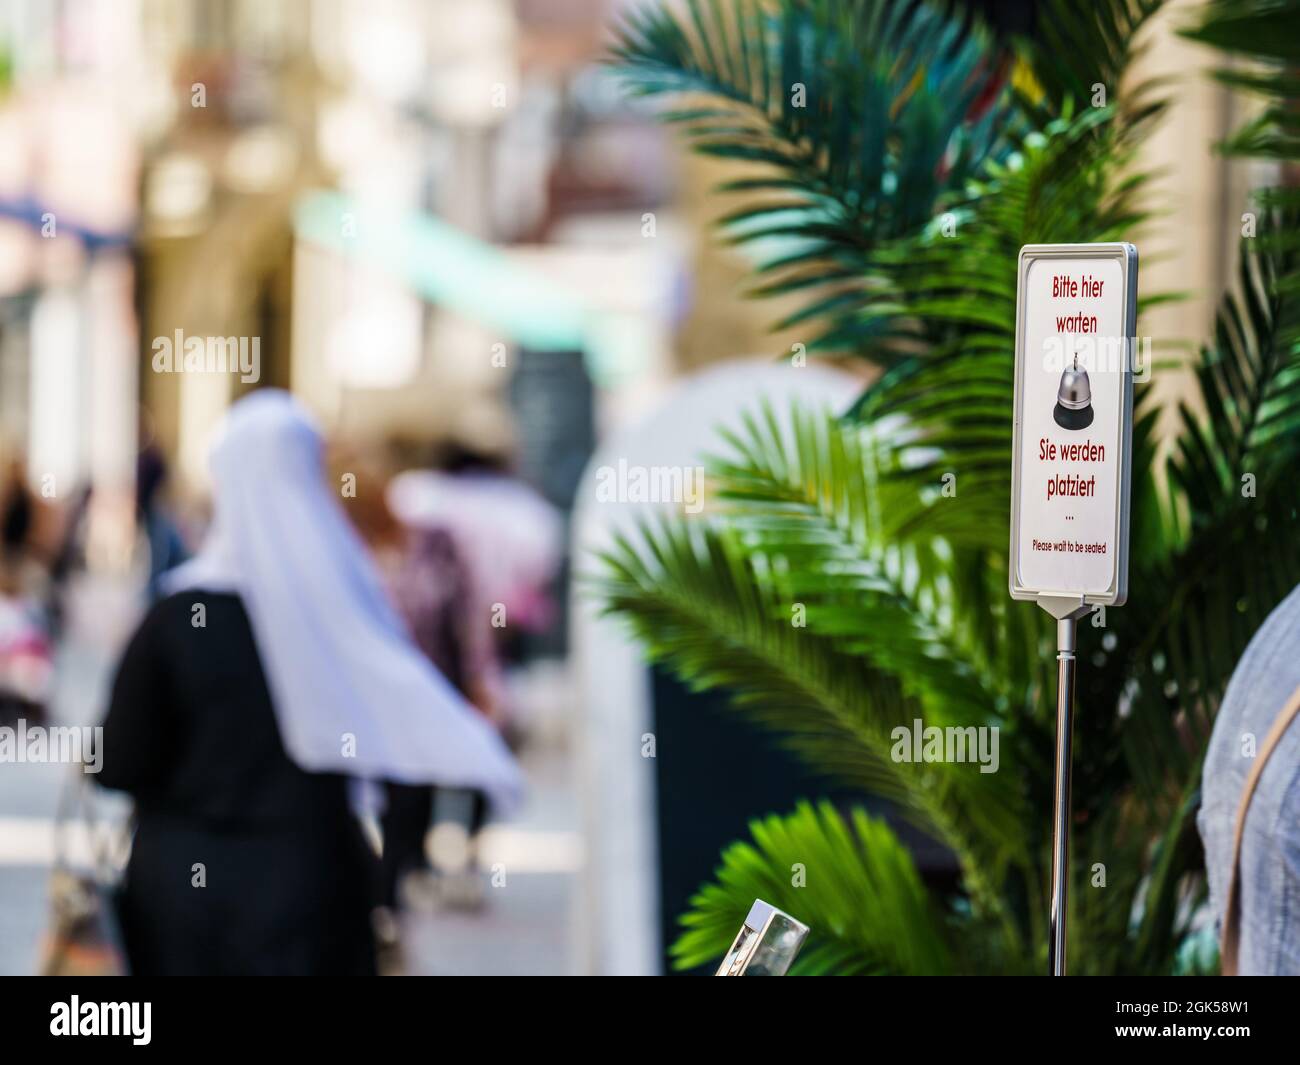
857,115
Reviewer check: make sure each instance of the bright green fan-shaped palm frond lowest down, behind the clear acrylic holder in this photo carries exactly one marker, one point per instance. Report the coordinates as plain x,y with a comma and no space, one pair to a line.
850,880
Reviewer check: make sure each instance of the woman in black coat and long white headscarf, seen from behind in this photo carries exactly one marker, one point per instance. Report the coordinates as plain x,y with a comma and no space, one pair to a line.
274,672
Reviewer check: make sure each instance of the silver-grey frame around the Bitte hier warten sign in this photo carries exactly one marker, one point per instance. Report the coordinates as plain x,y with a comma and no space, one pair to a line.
1117,594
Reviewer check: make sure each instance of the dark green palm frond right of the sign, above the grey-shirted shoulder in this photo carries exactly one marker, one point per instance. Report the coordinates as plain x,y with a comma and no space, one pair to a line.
1232,556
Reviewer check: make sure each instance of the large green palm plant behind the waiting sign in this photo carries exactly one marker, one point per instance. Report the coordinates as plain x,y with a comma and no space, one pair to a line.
899,157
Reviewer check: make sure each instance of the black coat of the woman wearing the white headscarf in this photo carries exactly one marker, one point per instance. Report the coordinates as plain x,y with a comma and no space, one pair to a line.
242,863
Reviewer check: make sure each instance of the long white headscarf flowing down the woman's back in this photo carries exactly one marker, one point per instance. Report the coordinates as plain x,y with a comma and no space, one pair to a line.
350,690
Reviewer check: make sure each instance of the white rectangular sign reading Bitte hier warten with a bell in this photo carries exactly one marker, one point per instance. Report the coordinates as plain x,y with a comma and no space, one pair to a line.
1076,318
